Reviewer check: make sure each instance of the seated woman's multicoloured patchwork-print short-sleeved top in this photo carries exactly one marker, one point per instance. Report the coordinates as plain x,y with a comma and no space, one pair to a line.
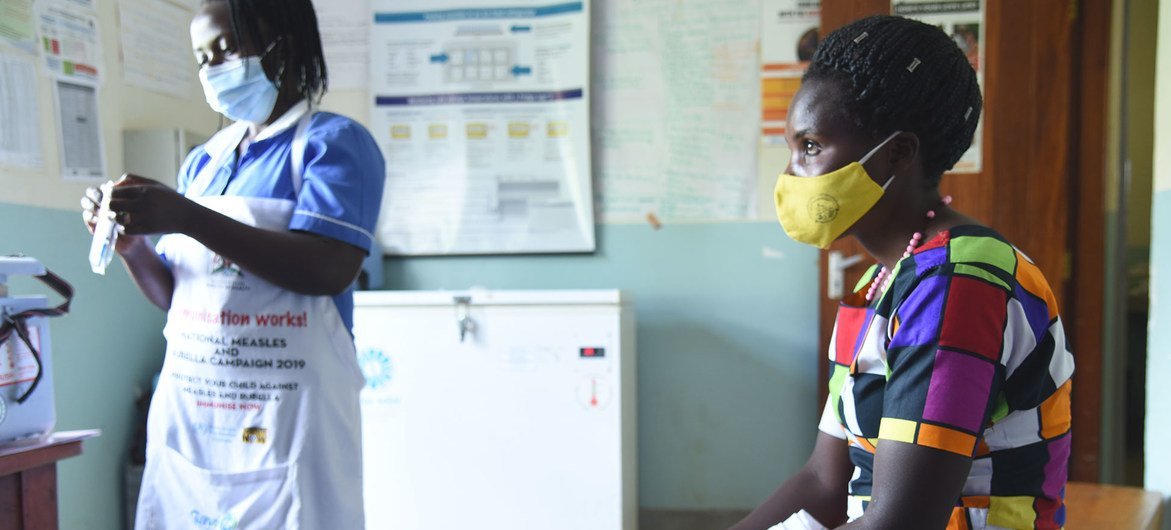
967,354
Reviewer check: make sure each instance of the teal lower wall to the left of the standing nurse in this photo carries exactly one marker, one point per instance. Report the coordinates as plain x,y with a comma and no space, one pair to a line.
105,353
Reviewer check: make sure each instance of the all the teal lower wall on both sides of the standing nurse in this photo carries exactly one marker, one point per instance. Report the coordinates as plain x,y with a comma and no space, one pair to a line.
727,336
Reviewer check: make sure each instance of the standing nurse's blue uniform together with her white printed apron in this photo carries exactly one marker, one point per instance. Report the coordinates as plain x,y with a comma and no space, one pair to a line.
256,421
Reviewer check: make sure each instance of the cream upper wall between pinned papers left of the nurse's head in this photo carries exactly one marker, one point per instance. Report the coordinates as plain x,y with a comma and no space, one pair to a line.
121,107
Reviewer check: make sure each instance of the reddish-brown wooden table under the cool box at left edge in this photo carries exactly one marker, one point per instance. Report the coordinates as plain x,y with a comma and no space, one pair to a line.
29,480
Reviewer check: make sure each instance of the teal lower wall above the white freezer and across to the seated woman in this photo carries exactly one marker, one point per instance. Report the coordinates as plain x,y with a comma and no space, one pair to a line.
727,340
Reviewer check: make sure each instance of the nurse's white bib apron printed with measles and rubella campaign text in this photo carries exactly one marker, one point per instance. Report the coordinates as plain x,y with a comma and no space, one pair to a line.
256,422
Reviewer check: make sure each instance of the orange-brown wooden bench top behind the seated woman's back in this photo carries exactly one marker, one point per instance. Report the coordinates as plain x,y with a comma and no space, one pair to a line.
1092,507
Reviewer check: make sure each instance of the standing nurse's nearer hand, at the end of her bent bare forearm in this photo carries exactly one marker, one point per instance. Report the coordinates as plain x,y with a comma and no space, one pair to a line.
145,207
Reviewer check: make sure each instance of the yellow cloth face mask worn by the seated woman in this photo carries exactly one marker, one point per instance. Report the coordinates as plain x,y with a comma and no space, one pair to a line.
819,210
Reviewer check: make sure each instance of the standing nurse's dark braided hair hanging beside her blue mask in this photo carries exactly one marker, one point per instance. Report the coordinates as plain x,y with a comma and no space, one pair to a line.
259,23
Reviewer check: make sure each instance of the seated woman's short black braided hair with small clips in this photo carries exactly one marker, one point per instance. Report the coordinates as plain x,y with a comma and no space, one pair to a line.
905,75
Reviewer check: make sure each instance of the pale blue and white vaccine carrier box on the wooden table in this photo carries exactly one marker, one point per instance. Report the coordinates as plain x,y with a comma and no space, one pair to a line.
33,421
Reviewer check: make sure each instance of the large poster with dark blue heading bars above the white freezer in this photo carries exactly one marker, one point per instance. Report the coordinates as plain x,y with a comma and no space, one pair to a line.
483,116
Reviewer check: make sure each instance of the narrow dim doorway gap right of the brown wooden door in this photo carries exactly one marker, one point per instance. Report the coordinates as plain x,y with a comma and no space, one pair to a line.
1128,239
